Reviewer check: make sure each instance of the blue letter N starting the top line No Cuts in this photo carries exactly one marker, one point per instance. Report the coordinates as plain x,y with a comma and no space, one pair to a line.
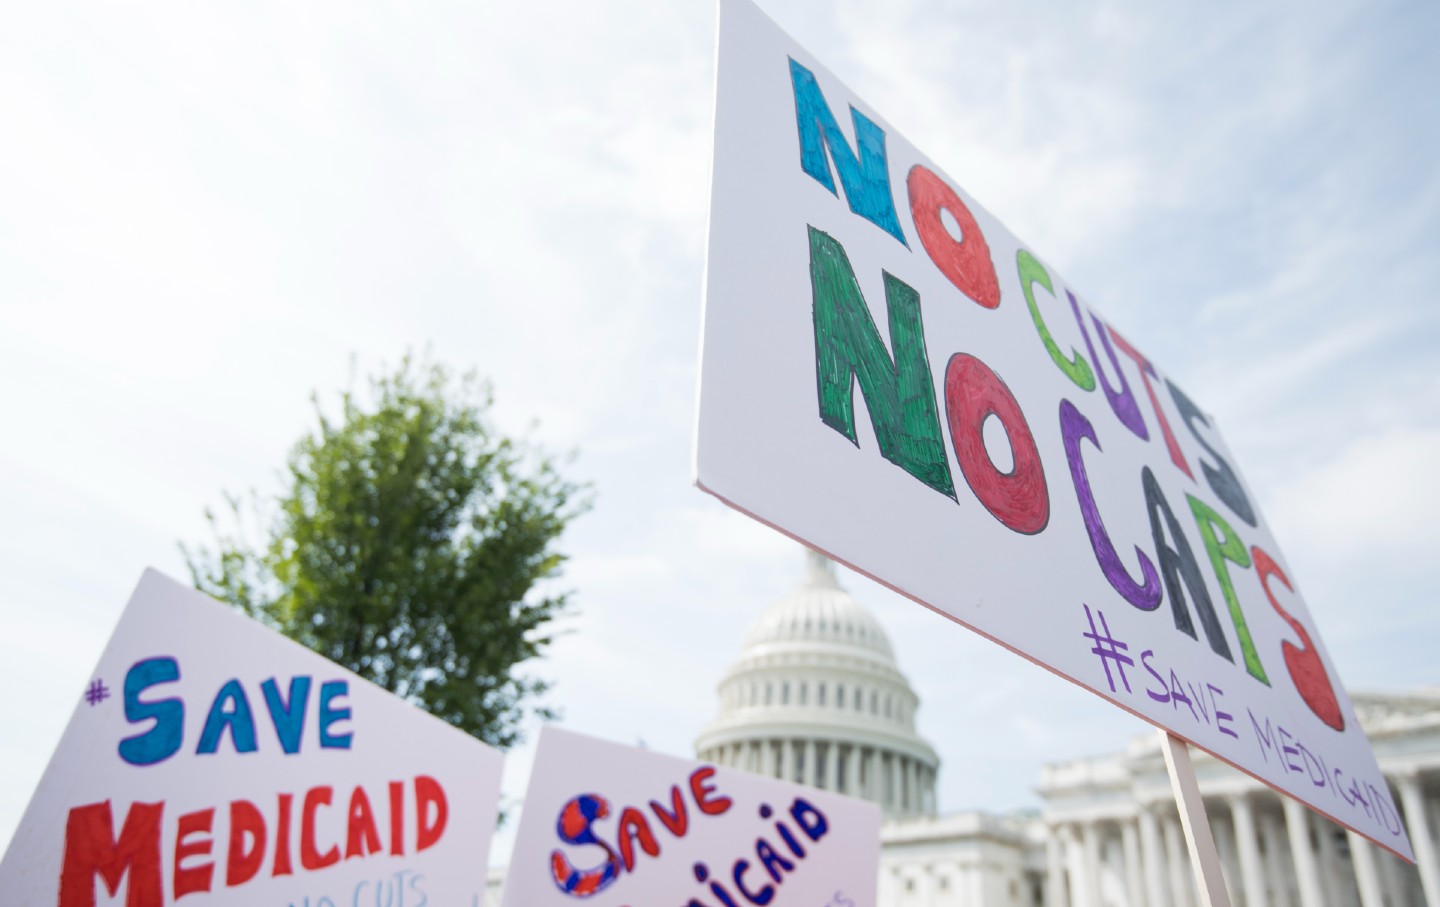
866,181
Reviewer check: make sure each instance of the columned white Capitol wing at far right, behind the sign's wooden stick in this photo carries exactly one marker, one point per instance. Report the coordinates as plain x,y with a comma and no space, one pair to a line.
1275,852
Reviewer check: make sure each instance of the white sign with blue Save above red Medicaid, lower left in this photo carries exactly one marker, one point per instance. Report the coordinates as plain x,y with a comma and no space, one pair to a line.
215,762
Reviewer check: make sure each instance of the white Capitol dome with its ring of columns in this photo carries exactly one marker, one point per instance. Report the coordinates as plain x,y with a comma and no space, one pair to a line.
816,698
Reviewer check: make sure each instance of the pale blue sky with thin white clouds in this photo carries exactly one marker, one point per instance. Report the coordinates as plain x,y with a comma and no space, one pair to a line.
211,214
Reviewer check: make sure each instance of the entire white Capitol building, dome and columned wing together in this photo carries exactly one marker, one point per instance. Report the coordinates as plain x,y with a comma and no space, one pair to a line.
817,698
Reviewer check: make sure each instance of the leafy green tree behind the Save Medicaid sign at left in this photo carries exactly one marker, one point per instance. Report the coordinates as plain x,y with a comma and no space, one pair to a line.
410,546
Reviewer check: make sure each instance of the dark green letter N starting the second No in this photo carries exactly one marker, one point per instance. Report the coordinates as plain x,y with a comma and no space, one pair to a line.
899,392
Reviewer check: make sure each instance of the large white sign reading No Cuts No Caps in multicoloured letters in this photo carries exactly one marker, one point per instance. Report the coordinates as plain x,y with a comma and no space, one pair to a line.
896,379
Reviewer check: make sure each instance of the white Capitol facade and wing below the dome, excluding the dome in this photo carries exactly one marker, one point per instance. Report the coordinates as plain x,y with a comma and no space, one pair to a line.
1110,834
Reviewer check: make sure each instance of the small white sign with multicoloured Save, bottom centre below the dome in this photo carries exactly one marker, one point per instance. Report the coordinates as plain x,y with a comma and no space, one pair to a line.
611,826
